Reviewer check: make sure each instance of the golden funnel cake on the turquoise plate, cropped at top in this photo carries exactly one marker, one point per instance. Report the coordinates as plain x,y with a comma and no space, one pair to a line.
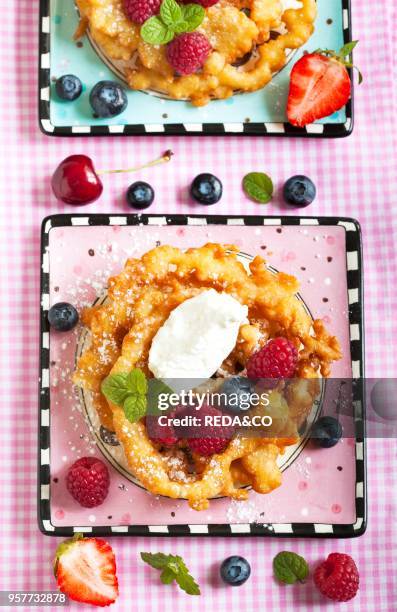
250,41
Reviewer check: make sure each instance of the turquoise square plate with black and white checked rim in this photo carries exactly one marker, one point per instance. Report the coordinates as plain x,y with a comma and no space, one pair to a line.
258,113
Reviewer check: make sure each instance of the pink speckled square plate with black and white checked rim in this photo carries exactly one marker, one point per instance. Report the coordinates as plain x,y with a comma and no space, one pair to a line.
323,491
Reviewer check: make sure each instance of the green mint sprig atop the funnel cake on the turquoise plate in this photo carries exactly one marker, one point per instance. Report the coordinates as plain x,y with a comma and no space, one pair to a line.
173,19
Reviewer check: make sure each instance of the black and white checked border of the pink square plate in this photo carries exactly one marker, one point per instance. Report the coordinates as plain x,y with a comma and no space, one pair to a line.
355,299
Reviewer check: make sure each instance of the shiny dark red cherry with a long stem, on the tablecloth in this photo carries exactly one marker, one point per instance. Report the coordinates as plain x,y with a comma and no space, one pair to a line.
76,182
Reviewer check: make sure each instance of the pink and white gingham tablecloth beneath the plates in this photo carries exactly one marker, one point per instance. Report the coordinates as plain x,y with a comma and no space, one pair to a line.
355,177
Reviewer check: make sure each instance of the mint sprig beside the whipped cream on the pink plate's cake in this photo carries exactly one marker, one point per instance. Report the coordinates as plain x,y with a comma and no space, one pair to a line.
129,391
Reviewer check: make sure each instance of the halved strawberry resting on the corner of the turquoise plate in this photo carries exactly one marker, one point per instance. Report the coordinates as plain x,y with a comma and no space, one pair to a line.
320,85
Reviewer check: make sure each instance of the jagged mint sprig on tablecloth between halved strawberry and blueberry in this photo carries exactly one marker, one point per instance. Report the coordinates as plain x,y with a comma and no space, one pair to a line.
173,568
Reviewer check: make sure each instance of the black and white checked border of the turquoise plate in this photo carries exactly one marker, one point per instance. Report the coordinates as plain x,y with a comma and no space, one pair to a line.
329,130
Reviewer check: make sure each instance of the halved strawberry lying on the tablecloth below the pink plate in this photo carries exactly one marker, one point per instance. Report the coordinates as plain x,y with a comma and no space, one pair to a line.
85,569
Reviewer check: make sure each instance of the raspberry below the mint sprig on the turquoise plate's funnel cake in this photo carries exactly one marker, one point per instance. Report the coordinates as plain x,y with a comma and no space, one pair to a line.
188,52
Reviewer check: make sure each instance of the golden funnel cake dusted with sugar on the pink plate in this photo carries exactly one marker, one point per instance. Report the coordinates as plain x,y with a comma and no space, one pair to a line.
140,300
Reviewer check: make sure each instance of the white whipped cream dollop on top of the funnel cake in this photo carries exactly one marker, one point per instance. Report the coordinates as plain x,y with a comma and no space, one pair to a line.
197,336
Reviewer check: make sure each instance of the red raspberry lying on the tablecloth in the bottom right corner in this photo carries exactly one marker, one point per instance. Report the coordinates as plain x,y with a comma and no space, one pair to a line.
337,577
